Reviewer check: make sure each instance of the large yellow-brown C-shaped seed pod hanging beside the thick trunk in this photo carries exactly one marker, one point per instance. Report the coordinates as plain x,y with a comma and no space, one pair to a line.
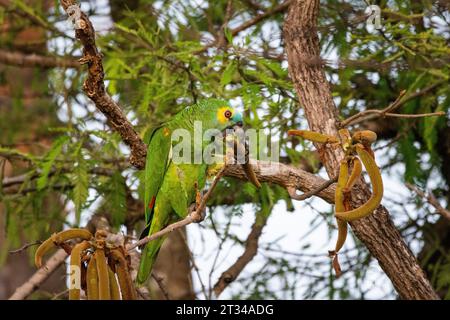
377,188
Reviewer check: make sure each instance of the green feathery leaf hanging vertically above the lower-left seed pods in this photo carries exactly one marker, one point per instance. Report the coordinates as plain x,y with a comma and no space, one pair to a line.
81,185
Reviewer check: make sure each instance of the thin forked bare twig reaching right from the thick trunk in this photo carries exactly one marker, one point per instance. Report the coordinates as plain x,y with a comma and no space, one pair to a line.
387,112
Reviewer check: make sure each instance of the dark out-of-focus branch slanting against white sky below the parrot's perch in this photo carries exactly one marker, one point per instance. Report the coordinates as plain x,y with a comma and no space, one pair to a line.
251,249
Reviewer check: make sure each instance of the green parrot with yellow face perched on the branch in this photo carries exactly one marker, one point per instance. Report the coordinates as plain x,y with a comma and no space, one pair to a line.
170,186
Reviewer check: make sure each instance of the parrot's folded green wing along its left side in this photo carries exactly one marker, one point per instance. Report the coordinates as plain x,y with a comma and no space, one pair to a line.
158,159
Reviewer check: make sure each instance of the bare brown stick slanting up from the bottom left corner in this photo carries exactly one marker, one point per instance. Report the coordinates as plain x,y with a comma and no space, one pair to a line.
39,276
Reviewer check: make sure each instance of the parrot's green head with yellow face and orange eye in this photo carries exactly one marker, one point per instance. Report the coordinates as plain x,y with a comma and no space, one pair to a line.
218,114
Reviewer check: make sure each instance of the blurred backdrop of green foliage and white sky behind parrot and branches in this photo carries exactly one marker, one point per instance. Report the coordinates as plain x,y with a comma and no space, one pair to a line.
61,166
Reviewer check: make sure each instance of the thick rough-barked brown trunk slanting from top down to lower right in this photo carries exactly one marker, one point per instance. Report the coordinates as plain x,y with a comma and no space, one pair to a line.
376,231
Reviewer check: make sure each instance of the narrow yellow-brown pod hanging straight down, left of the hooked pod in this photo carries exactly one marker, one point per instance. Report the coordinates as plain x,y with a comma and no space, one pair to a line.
339,205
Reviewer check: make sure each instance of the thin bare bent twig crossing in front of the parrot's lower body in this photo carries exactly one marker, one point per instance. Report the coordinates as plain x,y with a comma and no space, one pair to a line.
195,216
